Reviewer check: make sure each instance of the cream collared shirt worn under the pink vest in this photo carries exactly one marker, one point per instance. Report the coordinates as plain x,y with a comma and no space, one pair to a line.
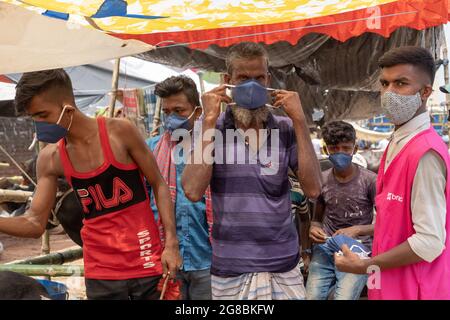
428,202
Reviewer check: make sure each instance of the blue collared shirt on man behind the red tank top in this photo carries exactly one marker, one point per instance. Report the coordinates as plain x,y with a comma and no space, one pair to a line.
191,224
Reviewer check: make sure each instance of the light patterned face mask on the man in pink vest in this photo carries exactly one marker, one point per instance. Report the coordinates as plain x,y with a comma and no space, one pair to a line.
400,108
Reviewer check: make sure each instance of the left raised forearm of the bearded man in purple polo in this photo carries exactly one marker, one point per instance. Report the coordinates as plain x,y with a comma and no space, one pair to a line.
198,172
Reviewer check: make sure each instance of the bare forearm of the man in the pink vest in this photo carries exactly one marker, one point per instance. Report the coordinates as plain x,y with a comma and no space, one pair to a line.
398,256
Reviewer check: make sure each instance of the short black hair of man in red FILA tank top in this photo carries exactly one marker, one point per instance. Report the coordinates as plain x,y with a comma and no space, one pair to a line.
34,83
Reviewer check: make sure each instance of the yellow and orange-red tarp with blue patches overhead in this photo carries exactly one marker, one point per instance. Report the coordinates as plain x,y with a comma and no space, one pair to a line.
201,23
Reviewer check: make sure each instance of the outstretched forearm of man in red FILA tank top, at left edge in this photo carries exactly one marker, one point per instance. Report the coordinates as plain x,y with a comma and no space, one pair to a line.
22,226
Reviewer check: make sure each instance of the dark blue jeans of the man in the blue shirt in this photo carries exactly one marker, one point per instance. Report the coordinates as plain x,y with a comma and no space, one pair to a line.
195,285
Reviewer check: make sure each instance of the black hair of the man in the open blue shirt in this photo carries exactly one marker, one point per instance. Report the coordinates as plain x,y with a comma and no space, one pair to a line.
175,85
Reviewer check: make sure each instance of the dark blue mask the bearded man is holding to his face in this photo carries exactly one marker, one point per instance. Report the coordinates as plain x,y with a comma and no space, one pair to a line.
250,94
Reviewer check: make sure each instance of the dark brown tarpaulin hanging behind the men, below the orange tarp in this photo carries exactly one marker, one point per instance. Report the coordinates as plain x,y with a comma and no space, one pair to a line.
339,78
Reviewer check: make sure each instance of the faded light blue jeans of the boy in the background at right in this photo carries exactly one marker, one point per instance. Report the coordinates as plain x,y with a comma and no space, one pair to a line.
323,277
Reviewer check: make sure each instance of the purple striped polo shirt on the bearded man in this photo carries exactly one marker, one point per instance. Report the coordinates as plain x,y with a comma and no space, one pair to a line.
253,229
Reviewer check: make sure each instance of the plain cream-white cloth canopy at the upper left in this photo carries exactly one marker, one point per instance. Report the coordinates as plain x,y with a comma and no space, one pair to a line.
31,42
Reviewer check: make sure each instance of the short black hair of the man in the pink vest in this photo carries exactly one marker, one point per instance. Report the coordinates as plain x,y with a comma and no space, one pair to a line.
416,56
